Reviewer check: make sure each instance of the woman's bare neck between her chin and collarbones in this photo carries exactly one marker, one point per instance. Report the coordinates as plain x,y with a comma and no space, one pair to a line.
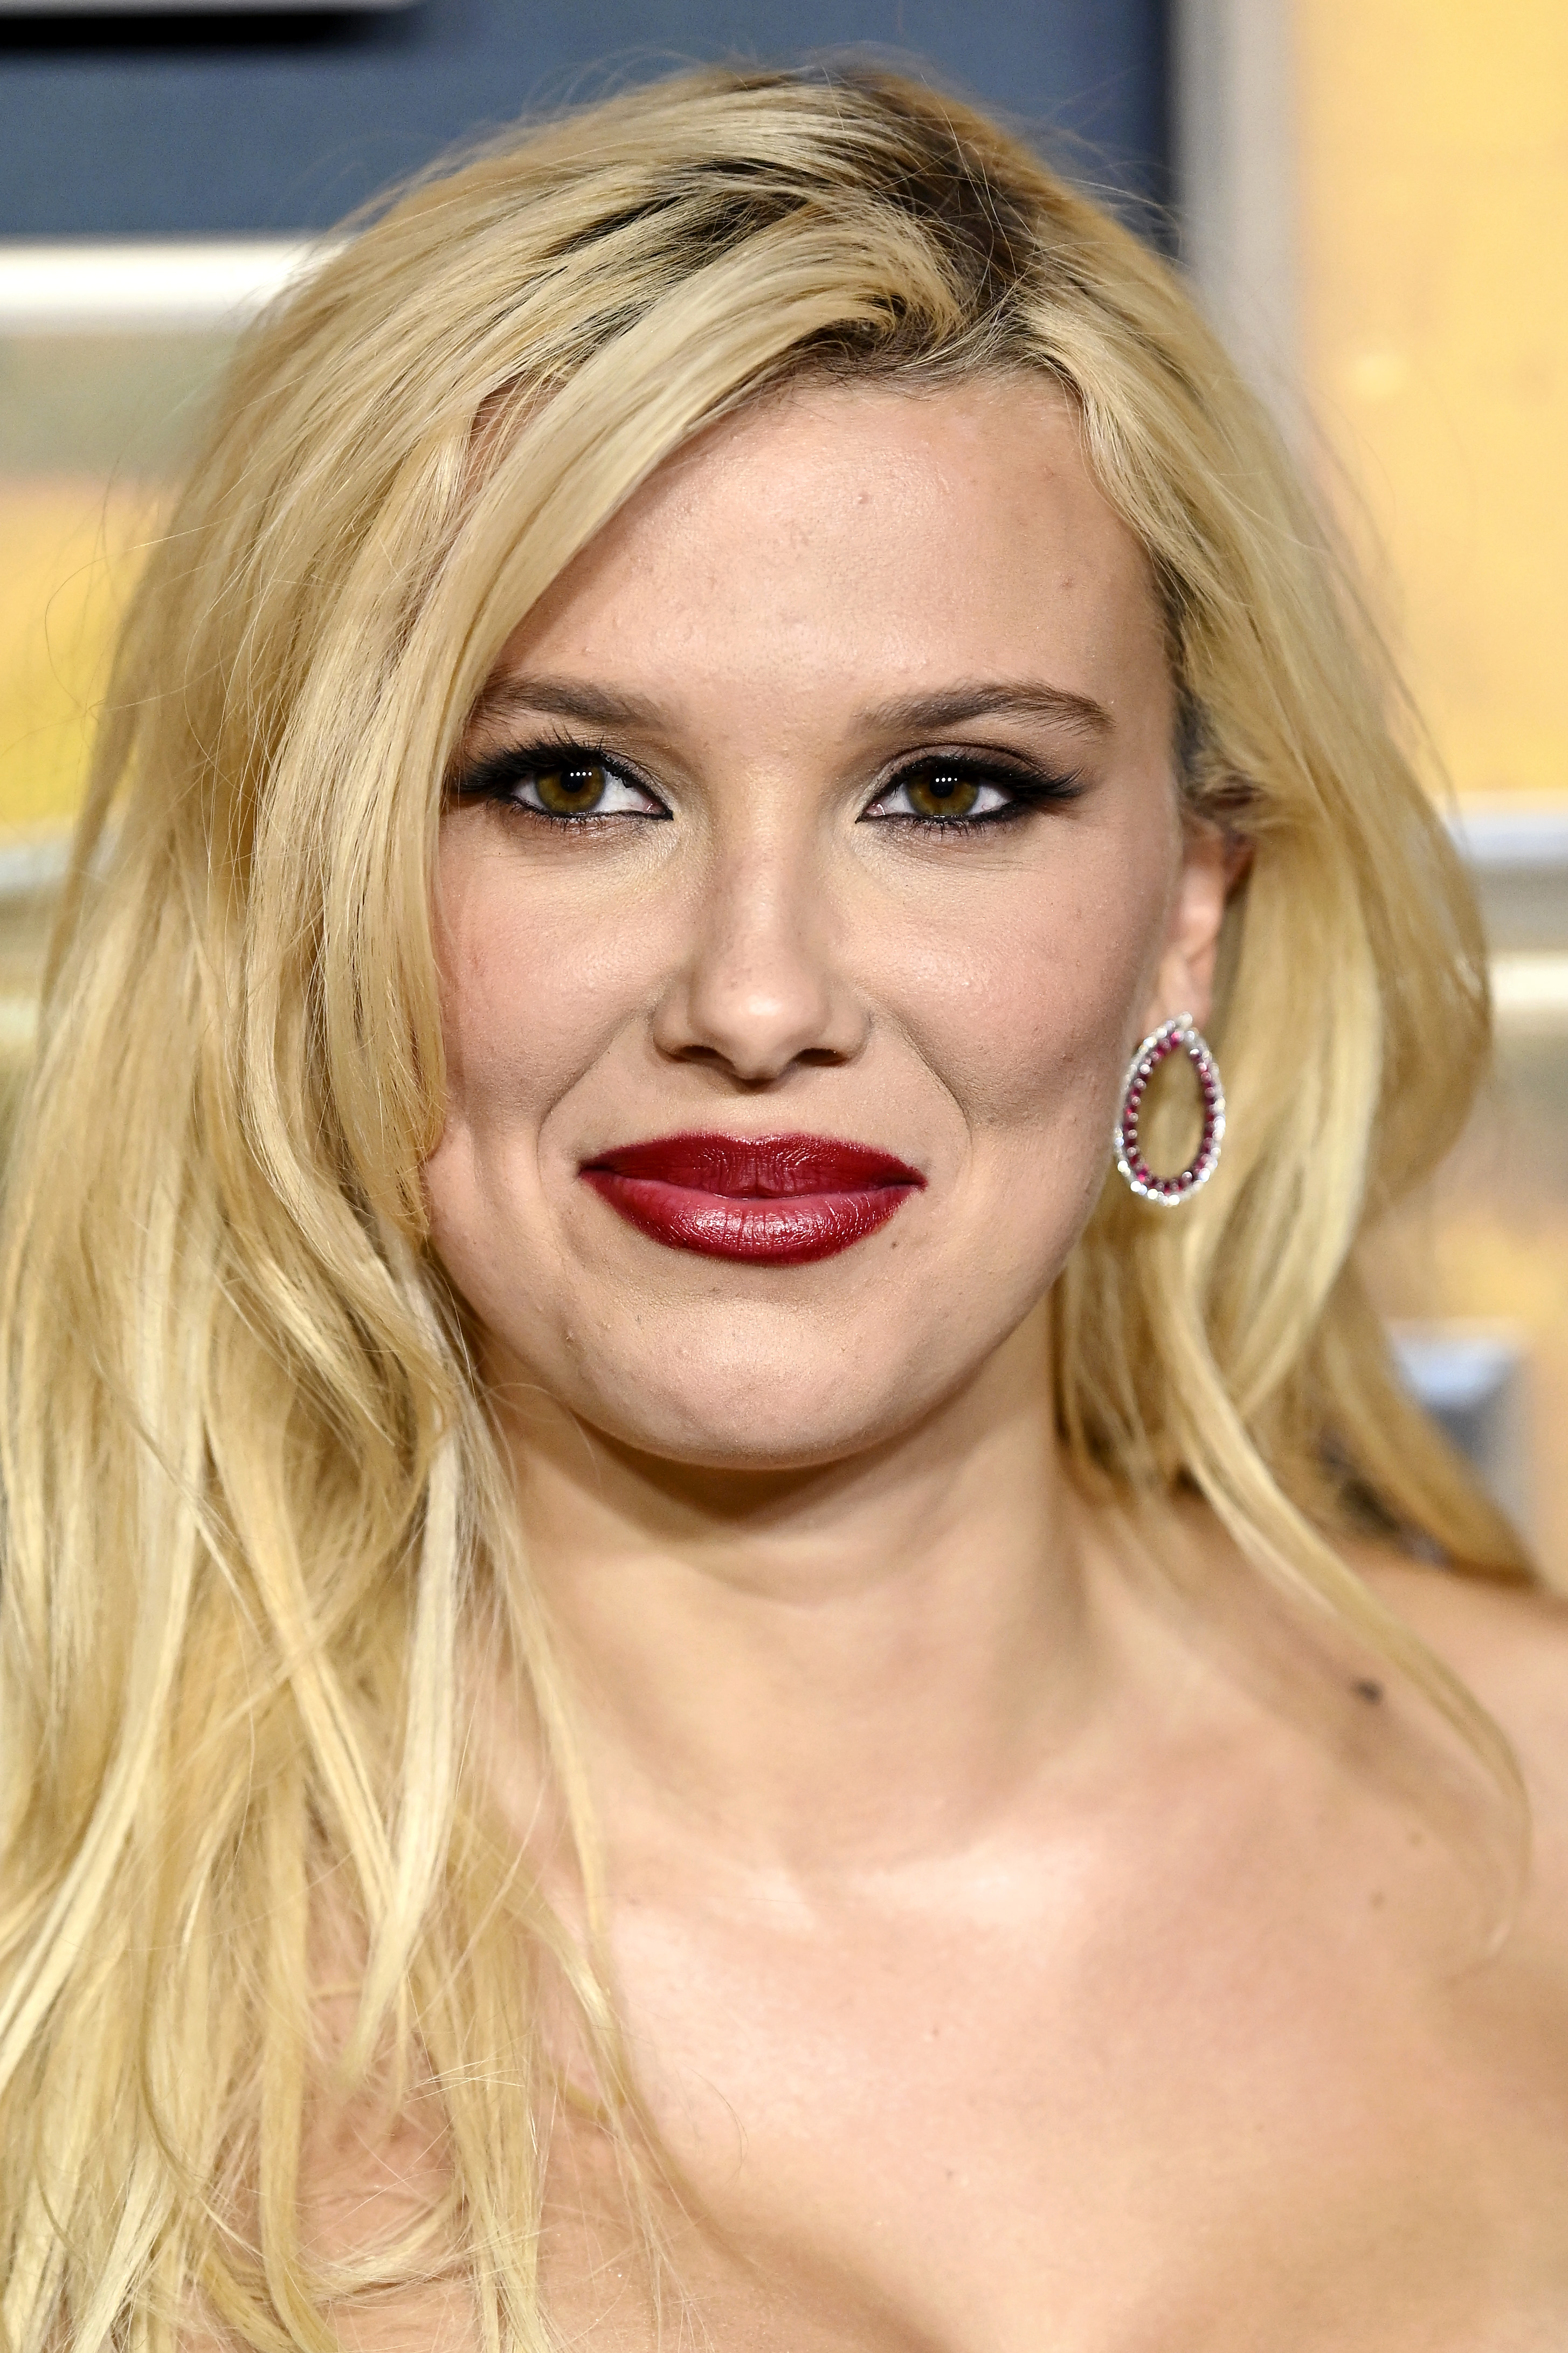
826,1667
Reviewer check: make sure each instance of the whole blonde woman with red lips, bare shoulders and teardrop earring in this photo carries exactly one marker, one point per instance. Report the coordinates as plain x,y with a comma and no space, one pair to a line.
676,1669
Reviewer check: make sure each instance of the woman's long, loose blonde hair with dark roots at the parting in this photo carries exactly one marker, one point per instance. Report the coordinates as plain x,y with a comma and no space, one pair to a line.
253,1500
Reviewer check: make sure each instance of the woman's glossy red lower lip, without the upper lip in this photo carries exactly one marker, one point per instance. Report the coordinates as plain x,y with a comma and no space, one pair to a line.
758,1229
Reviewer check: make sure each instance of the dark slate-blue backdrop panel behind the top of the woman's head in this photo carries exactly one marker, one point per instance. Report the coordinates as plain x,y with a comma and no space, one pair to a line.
269,126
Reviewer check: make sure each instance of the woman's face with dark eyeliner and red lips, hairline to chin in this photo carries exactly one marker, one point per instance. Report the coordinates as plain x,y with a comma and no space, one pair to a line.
829,799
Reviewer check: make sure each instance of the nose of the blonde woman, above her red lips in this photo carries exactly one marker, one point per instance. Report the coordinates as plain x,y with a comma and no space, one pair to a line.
760,987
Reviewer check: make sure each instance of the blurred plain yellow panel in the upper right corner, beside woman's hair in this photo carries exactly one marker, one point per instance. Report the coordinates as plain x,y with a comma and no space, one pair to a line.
1435,342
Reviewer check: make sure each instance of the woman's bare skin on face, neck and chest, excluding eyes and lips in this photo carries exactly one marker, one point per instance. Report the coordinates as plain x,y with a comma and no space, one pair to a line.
1026,1935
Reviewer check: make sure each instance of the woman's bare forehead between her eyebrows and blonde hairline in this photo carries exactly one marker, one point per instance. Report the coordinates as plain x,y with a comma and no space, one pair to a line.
845,533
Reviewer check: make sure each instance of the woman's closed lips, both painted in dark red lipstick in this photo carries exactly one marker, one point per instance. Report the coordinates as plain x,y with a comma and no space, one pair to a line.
772,1201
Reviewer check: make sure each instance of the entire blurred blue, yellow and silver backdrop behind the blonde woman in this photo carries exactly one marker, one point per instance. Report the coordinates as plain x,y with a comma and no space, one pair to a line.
1372,199
